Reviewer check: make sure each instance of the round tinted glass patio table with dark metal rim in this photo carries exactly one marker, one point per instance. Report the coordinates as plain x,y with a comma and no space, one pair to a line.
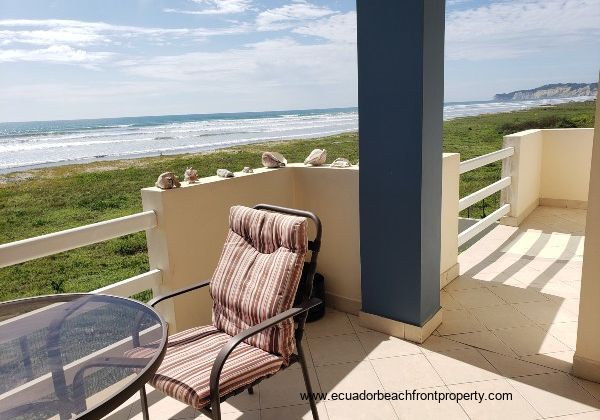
75,355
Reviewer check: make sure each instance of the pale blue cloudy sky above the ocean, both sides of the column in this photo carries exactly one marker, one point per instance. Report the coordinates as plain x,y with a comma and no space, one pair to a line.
99,58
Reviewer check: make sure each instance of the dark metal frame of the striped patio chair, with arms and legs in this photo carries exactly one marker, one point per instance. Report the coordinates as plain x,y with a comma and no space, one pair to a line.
298,313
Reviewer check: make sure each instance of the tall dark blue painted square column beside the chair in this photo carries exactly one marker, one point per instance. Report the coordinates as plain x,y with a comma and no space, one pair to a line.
400,98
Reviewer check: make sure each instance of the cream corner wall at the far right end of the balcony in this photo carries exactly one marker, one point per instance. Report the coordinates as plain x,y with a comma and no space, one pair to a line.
549,167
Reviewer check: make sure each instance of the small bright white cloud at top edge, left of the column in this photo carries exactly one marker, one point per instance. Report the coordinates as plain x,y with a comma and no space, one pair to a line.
290,15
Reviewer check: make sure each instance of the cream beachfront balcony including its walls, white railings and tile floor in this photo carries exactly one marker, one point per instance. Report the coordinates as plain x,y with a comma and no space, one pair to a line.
510,301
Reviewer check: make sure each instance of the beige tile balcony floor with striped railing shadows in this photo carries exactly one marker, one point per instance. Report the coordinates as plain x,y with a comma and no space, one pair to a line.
509,325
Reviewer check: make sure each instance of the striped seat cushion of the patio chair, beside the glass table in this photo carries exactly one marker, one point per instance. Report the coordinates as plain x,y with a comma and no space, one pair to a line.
185,371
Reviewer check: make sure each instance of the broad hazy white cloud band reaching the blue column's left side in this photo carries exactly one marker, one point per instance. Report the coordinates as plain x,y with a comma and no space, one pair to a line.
257,66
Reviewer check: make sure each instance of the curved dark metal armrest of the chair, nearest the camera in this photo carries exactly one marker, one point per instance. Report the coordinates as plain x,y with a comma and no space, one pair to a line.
236,340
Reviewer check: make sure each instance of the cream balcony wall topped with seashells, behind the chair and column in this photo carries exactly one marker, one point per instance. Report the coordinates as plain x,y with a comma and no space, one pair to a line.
192,223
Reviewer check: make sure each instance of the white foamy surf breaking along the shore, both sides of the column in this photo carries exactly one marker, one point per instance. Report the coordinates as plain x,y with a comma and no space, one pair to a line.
111,145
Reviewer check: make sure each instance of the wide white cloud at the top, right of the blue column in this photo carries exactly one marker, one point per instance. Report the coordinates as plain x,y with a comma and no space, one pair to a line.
516,28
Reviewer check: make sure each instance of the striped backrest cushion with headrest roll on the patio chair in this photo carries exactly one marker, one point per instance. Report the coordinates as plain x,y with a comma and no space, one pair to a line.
258,274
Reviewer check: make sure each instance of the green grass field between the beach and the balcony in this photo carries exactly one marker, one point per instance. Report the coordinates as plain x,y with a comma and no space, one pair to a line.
60,198
